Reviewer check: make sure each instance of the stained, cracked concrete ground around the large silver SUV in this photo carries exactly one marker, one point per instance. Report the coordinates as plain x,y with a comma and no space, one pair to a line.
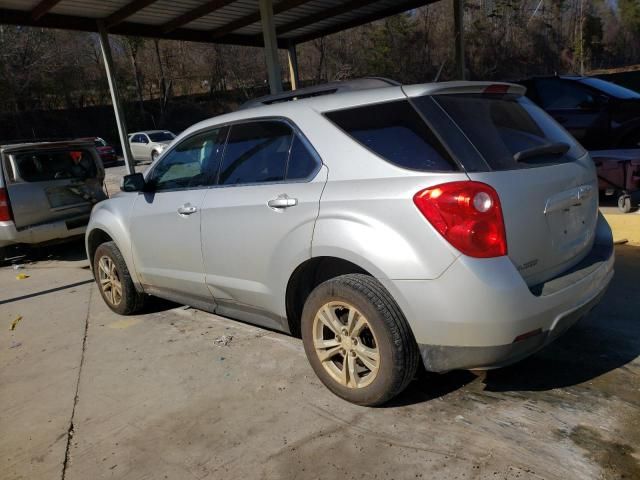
87,394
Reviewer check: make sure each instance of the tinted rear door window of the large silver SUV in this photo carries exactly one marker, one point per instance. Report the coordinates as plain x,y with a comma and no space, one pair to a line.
256,153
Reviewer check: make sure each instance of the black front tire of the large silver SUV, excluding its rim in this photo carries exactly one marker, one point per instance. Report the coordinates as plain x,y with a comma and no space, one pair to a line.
131,301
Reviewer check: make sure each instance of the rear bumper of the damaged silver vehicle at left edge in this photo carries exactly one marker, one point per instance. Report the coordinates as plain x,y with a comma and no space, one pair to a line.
46,232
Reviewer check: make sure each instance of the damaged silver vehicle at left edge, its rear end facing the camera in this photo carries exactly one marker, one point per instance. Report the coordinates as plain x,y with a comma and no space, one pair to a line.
47,191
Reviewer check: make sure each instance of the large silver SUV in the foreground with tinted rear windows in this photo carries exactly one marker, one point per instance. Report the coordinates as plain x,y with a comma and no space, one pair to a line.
455,223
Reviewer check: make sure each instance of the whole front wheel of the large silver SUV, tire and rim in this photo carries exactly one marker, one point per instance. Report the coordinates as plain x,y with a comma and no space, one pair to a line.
129,300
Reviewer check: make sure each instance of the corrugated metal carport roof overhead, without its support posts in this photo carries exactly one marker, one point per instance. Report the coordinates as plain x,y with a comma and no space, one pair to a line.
217,21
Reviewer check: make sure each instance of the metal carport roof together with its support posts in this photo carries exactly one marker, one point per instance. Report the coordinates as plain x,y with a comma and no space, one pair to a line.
267,23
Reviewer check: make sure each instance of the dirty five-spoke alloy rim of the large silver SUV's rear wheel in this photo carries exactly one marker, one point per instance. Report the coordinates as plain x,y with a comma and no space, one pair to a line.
346,345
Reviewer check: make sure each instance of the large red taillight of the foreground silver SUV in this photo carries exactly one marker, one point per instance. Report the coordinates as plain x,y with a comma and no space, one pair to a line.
468,214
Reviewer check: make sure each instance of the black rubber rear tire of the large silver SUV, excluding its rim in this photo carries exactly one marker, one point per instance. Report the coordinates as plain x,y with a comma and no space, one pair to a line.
394,341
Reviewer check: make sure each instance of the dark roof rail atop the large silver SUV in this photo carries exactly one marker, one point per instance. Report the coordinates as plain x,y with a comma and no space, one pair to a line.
365,83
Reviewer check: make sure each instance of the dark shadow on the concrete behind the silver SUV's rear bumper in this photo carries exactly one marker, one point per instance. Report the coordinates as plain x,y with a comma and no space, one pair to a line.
607,339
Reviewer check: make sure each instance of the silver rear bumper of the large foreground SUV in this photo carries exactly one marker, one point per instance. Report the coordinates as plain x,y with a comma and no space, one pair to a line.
473,315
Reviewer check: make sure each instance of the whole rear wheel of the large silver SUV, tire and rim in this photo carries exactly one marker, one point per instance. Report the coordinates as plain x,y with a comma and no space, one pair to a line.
385,331
